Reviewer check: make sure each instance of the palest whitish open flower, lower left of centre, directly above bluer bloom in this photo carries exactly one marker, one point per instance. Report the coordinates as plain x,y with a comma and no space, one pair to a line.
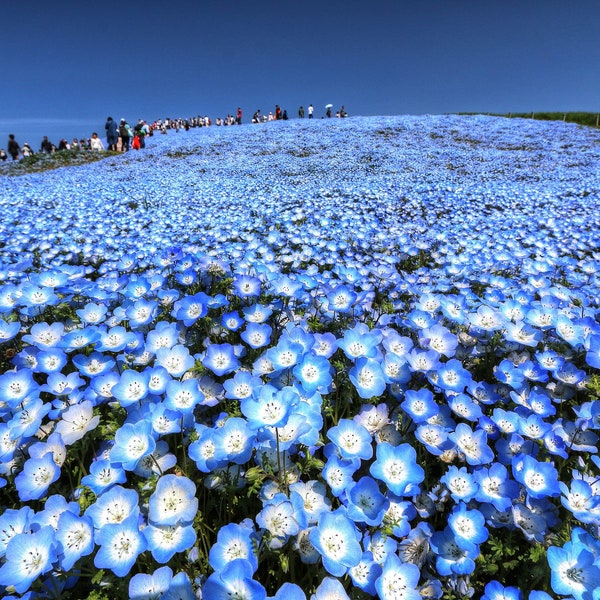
173,501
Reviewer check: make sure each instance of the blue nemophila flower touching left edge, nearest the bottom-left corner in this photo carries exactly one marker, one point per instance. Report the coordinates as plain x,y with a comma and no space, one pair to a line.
28,556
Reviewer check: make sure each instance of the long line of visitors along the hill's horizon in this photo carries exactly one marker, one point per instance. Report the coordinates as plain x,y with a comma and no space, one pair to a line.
122,137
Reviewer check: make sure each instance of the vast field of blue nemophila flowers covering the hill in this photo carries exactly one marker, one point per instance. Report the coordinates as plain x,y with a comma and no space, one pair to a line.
334,359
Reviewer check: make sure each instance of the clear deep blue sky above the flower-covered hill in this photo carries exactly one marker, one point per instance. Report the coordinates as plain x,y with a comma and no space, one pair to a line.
72,63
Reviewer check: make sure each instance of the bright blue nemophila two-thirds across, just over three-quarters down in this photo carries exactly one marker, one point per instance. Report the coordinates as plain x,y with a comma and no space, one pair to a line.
397,467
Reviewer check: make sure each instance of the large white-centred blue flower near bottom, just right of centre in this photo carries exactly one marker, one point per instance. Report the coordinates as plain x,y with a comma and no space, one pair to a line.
336,540
